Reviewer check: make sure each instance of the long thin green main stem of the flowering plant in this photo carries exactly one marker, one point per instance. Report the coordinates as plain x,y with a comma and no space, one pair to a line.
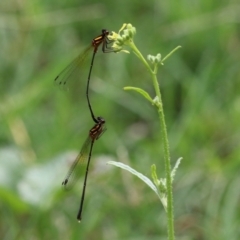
170,213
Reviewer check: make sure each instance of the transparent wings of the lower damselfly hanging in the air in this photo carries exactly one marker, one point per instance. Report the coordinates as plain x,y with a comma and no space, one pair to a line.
77,169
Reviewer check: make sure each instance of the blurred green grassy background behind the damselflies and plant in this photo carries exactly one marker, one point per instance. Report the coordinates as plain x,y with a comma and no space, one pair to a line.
42,127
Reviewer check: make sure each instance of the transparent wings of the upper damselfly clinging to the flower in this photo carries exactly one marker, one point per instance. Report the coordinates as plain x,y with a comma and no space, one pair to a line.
72,70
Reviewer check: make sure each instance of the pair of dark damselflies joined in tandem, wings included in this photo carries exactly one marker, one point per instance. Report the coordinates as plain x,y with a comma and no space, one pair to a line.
96,131
